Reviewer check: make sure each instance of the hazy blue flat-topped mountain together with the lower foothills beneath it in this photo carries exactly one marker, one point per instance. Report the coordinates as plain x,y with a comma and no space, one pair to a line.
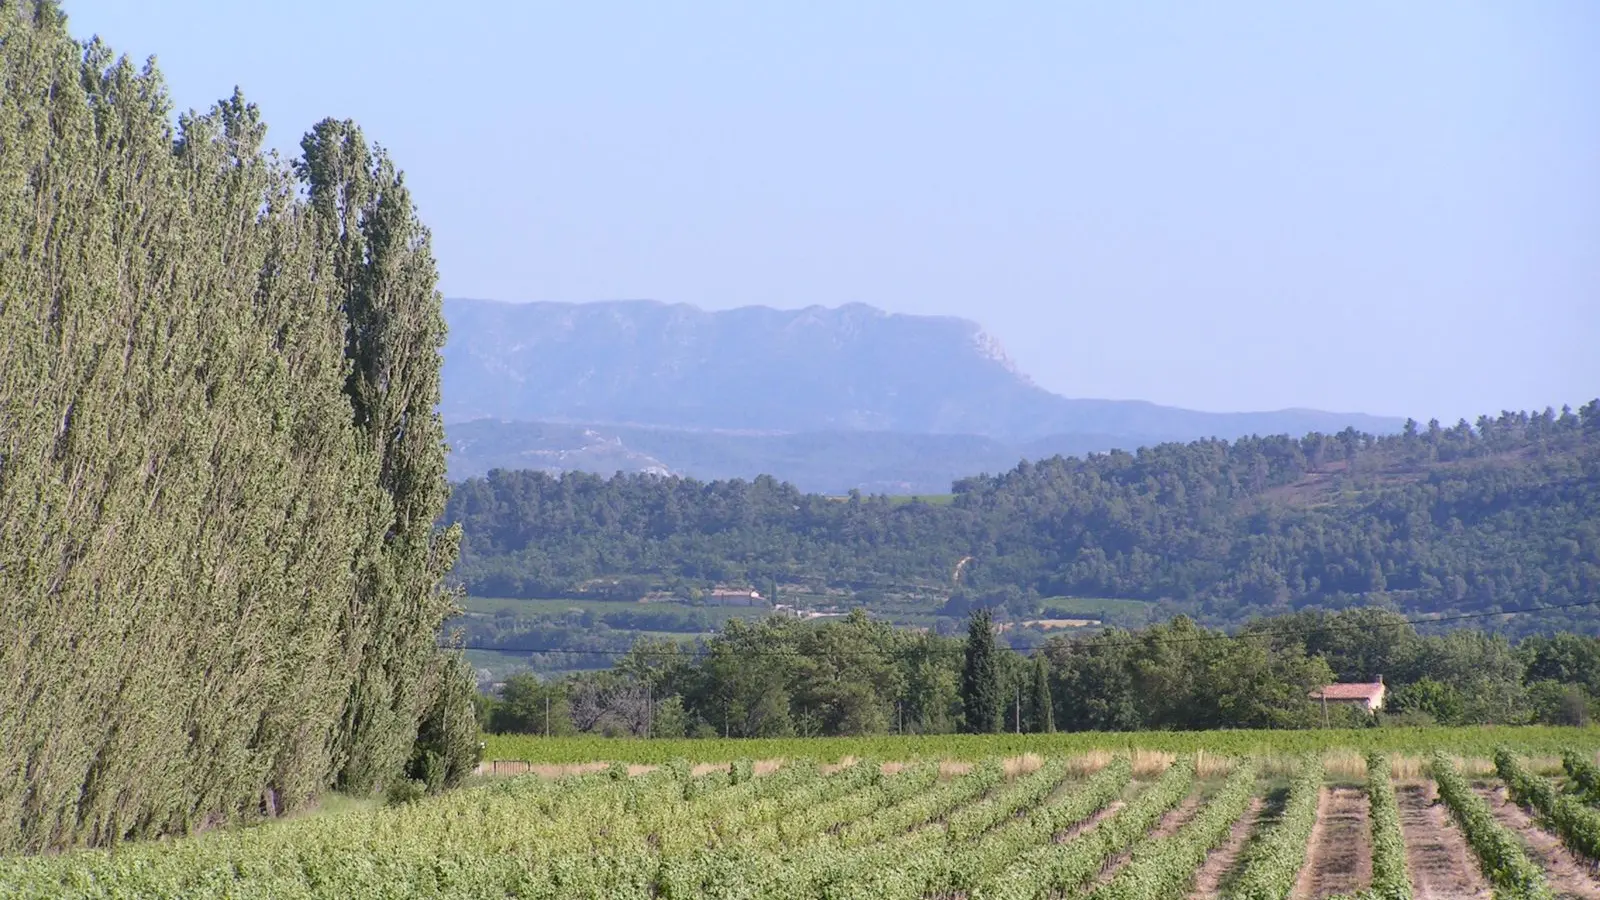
831,400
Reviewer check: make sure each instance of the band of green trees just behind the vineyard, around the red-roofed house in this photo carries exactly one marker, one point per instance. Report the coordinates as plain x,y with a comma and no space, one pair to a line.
858,677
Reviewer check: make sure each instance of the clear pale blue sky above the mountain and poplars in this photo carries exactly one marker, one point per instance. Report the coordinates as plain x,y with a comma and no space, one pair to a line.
1358,206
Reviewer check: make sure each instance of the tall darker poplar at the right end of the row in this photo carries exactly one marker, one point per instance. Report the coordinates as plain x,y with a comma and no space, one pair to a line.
382,259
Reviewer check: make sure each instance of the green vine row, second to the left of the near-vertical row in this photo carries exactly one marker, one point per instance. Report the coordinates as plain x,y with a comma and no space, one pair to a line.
1166,867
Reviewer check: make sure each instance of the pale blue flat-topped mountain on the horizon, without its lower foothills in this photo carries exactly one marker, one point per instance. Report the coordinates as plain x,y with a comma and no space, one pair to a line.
802,371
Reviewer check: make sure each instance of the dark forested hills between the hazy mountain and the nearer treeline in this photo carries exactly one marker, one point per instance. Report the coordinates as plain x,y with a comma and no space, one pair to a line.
1473,518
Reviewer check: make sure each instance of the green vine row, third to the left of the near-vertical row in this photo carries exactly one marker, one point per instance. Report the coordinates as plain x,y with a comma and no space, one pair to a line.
1058,869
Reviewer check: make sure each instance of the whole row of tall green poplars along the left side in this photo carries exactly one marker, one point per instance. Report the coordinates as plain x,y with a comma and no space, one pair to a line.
220,460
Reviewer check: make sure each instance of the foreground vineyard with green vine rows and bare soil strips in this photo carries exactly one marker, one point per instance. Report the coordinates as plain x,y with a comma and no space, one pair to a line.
1130,826
